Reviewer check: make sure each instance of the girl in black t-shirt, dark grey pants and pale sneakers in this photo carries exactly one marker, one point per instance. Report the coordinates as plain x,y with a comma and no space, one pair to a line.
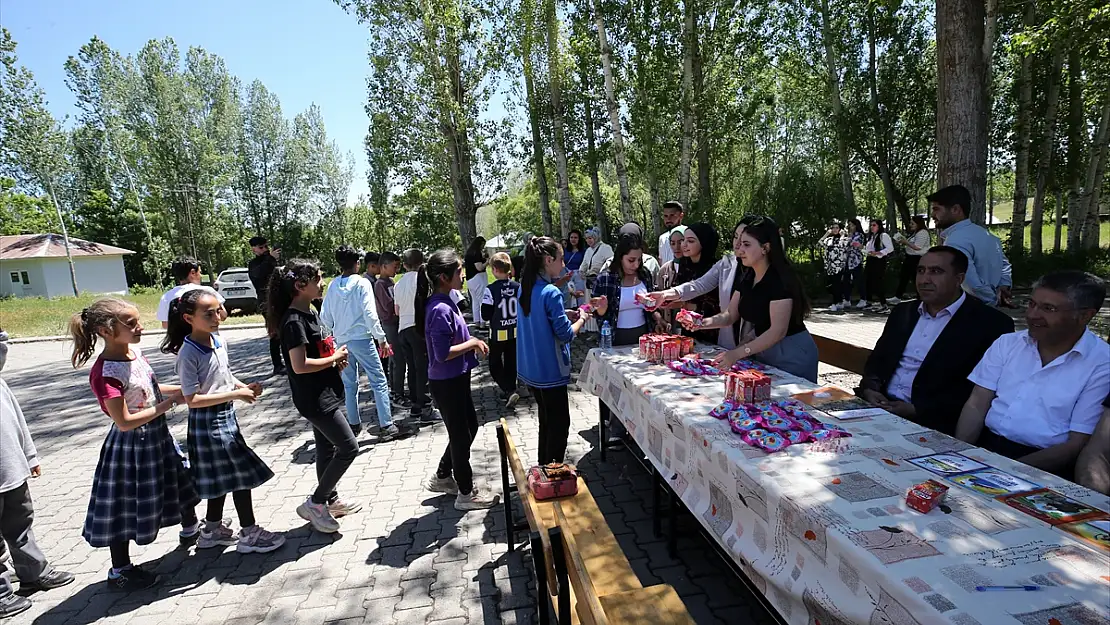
315,362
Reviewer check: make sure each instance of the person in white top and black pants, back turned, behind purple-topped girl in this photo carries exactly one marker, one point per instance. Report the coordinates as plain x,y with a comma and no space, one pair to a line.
411,342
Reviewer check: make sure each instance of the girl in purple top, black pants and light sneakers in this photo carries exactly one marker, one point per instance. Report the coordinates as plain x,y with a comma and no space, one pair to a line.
450,361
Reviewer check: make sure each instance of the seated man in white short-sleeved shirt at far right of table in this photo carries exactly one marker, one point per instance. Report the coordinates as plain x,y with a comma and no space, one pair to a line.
1038,395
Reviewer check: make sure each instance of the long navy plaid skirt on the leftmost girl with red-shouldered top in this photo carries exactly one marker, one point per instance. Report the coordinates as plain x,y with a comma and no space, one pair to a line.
143,485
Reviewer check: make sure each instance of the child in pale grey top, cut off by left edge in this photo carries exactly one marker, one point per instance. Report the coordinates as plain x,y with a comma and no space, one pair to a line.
19,461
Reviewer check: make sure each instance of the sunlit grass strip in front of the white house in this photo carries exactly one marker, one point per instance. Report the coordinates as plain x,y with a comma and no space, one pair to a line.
39,317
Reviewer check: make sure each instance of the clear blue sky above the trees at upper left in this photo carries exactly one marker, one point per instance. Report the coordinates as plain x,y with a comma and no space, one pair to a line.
305,52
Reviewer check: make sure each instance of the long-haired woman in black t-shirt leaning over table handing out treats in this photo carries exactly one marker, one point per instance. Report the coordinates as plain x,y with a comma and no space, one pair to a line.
770,298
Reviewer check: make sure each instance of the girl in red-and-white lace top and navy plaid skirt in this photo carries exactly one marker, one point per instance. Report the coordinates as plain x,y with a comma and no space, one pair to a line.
143,481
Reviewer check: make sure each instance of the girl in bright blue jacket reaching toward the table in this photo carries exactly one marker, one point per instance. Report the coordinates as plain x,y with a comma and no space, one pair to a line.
543,346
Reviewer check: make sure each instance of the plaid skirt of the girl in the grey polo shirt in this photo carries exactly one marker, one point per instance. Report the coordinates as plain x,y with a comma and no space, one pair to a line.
221,461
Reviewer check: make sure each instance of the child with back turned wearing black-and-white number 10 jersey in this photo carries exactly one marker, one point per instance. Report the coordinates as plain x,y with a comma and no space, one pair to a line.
499,308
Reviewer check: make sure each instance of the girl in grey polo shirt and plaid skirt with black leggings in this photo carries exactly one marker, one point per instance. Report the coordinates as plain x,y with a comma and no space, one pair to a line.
221,460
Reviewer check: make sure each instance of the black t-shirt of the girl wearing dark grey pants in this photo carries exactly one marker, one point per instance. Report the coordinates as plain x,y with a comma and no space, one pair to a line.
314,394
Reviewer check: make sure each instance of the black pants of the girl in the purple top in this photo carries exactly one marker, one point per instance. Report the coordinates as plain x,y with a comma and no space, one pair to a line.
462,421
